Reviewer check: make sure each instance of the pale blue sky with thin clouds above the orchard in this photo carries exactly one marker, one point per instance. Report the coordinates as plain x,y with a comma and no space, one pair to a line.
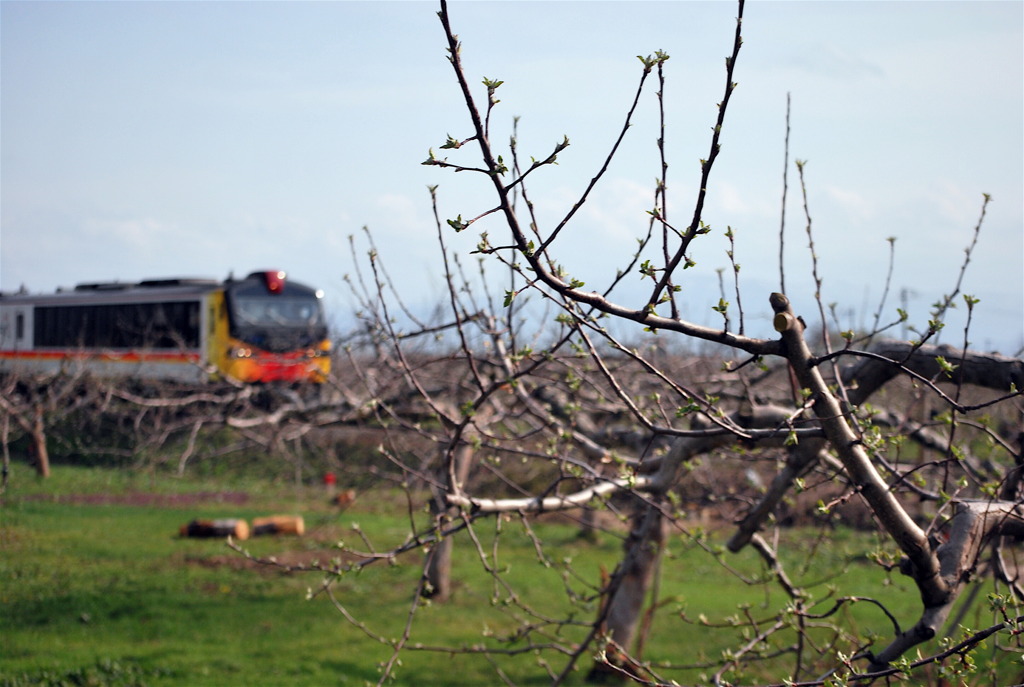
144,140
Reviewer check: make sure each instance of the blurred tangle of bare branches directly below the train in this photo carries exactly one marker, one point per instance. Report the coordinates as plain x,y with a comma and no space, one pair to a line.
150,424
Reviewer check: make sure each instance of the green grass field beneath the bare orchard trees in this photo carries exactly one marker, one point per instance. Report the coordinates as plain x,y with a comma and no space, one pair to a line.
101,590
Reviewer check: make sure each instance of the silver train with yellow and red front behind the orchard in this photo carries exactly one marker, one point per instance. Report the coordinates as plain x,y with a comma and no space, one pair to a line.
262,329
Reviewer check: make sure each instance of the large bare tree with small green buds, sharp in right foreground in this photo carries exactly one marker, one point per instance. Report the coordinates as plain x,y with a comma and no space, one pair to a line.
810,412
